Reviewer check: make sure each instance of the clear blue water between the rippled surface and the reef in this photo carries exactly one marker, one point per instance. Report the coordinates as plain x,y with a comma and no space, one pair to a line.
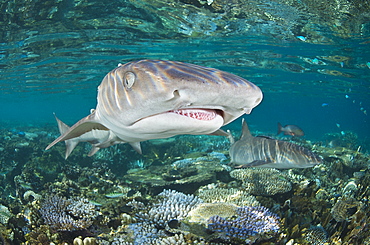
65,79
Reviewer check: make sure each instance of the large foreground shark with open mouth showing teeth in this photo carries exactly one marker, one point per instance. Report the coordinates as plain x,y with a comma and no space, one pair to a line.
154,99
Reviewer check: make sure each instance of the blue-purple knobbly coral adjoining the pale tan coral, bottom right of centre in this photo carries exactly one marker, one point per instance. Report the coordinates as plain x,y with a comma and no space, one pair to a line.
249,222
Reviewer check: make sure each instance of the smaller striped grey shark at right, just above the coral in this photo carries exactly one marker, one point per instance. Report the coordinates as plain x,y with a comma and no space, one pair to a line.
265,152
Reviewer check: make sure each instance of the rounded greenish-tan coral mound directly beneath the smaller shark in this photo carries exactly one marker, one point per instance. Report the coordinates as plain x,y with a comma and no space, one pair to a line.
262,181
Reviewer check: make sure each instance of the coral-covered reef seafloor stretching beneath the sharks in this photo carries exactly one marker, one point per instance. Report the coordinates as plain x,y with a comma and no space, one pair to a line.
113,198
